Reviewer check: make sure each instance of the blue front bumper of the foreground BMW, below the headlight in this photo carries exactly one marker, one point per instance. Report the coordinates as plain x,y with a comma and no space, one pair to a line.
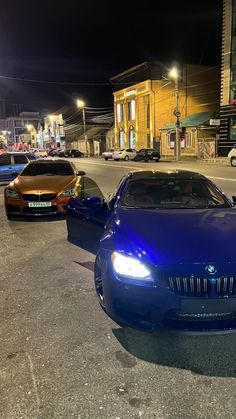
154,306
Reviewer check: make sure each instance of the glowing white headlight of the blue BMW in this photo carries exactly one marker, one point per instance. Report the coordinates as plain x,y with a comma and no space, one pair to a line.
129,266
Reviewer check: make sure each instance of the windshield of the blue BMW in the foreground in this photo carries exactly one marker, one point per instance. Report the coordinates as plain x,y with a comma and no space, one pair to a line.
172,193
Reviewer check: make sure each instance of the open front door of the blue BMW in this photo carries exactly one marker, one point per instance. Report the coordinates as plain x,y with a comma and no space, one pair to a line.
86,216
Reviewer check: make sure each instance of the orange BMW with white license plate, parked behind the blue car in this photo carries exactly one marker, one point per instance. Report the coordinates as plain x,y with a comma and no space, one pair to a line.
43,188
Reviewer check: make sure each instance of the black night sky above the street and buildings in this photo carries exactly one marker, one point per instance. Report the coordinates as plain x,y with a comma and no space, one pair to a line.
87,42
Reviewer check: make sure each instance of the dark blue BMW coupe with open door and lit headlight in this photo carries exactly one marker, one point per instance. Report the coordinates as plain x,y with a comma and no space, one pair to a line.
165,250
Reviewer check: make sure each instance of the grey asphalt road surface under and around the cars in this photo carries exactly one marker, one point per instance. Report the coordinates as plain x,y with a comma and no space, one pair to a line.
62,357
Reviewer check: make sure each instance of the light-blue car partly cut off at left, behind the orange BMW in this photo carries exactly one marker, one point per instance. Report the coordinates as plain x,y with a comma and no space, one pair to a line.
12,163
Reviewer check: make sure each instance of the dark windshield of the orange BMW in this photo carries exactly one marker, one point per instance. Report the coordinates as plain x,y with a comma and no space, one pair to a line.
48,169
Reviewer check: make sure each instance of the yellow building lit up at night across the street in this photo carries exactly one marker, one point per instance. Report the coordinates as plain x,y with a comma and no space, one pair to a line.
143,109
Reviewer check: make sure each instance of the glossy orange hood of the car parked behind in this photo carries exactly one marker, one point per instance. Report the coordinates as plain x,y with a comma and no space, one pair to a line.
56,184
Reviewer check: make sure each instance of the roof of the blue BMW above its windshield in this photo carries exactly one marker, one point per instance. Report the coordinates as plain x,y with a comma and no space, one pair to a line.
176,174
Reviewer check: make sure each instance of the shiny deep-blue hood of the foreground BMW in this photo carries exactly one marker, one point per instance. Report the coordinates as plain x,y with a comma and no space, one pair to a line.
169,237
